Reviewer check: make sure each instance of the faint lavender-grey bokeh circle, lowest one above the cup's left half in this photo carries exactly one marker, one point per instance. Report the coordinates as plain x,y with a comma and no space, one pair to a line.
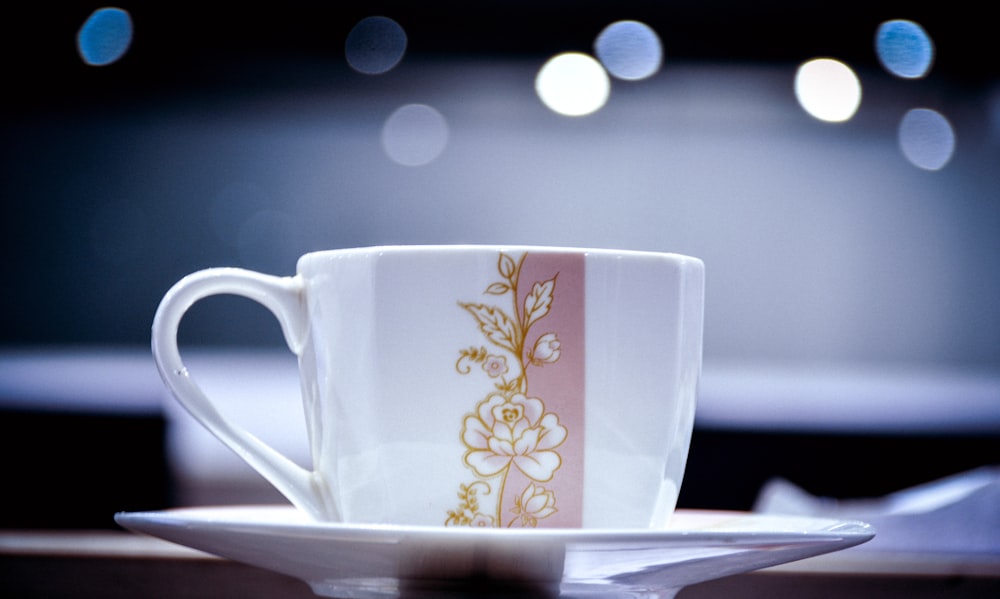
414,135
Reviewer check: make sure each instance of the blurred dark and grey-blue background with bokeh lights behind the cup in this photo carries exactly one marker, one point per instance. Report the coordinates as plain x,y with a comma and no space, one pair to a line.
847,209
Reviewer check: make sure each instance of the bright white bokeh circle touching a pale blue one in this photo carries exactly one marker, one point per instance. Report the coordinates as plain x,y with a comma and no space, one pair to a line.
573,84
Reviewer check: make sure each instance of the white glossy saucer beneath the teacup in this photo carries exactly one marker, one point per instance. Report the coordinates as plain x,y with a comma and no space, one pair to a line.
362,562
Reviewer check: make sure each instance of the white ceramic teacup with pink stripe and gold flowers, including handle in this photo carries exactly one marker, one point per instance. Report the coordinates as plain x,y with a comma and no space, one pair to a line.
494,386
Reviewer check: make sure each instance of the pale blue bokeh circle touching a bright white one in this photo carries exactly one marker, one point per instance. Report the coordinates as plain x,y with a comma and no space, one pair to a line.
629,50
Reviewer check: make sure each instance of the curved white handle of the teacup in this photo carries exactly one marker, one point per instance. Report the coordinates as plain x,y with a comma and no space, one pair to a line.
283,296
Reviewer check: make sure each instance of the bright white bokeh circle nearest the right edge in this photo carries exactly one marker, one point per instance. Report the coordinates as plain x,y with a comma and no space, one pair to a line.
828,89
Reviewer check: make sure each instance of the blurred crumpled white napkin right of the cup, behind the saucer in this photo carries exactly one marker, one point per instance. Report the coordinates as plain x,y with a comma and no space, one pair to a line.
958,514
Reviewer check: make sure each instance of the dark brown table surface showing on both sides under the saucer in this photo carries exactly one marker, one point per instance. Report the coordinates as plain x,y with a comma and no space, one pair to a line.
112,564
